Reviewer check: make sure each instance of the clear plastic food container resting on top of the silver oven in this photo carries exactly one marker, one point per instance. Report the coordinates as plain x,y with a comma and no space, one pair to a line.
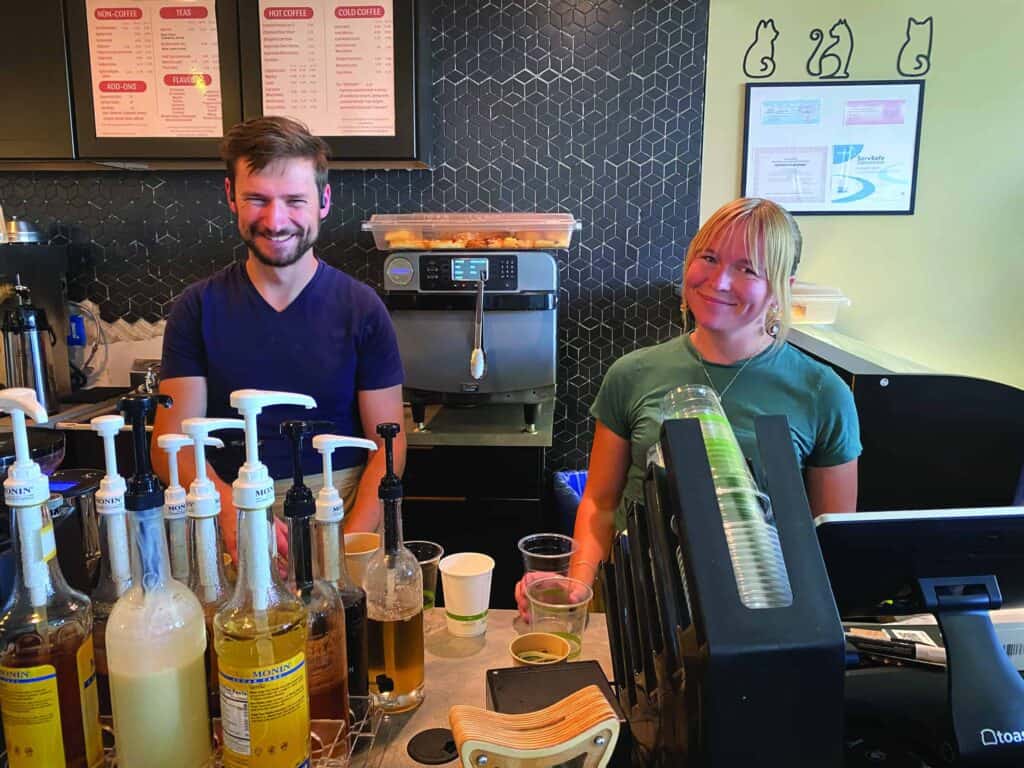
517,232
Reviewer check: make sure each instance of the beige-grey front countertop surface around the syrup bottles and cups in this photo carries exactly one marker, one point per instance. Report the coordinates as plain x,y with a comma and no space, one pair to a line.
455,674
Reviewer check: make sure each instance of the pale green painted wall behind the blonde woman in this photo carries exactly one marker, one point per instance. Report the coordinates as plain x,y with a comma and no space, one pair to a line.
946,287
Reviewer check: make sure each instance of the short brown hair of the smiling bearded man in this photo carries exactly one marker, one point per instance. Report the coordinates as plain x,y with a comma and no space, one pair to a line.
263,141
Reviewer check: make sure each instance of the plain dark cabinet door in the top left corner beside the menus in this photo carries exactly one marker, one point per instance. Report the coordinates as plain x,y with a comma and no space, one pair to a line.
34,83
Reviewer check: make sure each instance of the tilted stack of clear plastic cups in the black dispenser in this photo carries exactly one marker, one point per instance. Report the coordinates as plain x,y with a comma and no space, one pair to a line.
754,548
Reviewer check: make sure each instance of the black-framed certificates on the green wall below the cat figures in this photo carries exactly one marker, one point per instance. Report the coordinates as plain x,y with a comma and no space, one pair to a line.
844,148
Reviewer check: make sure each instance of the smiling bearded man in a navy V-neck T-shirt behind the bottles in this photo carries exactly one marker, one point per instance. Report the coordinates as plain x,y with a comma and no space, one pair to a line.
283,320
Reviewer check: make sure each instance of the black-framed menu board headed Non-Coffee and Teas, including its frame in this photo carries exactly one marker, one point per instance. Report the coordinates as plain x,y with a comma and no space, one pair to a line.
154,79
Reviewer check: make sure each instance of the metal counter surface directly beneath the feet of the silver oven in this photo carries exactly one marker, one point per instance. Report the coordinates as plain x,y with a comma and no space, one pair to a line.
479,426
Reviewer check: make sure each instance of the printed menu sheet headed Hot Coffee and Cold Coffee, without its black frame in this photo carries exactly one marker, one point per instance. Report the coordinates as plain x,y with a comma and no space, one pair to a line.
330,64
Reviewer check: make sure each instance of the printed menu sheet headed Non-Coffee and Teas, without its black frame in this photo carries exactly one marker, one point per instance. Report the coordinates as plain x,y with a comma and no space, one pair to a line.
156,68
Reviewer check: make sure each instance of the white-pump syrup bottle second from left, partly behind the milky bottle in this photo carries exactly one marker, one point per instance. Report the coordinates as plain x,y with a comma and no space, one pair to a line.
115,562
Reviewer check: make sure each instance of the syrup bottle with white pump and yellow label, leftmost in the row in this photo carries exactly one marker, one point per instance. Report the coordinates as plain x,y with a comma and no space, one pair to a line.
51,711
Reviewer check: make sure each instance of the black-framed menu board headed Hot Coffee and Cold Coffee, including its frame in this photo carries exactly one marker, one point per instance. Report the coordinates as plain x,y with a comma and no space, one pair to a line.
356,72
